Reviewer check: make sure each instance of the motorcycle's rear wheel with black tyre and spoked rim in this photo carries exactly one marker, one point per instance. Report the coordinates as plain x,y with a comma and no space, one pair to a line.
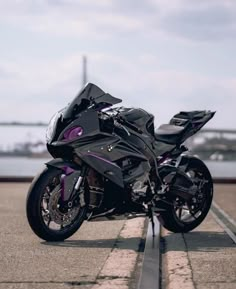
182,218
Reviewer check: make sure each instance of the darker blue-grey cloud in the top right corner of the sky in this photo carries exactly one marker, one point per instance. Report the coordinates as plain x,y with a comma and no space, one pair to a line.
199,20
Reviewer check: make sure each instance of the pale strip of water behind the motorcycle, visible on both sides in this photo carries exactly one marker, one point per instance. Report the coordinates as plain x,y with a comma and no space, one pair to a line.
23,166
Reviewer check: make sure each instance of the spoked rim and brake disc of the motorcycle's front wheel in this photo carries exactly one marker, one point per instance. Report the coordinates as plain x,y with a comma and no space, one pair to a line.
55,214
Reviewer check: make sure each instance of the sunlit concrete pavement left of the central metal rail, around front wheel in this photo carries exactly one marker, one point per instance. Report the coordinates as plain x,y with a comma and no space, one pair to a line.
100,255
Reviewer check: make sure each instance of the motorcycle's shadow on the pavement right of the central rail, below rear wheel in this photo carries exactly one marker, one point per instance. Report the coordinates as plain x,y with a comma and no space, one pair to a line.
200,241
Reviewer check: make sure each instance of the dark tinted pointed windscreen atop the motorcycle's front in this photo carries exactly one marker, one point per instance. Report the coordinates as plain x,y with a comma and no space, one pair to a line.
88,95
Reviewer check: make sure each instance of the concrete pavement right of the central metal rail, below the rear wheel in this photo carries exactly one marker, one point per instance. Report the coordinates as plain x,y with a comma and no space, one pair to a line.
204,258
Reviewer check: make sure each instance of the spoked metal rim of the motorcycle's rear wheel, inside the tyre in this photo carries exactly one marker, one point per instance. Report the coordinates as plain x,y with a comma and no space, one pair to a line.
188,212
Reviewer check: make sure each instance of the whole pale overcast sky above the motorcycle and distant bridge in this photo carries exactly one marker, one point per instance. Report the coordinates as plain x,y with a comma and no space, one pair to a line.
163,56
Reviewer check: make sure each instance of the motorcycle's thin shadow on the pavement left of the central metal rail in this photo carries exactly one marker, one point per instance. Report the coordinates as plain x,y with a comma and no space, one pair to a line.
122,243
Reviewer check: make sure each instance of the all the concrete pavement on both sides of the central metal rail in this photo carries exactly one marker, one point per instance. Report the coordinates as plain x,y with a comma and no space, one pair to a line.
107,255
